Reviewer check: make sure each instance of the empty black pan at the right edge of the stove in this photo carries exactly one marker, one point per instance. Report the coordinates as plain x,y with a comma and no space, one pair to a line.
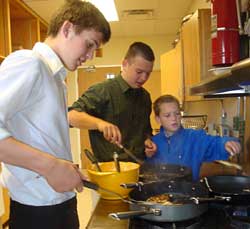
236,187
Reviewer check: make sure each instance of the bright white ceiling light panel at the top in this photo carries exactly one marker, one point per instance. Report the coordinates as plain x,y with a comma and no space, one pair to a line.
107,7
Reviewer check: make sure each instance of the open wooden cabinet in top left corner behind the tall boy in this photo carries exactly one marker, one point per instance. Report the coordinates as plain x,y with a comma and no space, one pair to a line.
20,27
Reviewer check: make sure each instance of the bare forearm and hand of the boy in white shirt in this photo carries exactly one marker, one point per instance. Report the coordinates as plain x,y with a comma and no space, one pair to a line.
60,174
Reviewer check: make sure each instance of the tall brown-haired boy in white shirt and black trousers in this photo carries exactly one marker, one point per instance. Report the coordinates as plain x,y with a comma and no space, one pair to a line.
34,133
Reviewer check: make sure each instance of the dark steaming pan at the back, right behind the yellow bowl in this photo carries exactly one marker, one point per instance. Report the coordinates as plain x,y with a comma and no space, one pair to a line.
159,172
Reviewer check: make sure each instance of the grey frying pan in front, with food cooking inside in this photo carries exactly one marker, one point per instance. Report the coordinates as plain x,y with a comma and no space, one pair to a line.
186,209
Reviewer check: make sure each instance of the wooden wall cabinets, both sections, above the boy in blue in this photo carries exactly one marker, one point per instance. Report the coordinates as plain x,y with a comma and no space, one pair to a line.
188,63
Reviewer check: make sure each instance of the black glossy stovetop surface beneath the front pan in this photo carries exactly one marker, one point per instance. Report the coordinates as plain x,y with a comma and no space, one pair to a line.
216,217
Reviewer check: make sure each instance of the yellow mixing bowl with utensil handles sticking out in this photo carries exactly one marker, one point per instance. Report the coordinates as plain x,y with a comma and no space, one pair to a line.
110,179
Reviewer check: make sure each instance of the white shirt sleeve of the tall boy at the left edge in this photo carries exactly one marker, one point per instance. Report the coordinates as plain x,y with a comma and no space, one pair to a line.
18,76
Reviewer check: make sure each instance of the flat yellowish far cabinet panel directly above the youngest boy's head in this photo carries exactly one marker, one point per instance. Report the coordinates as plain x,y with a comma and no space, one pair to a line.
172,73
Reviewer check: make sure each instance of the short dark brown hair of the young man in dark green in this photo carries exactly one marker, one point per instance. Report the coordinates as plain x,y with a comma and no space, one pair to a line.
140,49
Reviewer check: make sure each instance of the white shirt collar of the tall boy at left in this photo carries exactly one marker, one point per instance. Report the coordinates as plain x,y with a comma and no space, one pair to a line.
51,59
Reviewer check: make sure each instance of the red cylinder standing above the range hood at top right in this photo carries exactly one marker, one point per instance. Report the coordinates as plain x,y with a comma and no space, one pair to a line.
225,33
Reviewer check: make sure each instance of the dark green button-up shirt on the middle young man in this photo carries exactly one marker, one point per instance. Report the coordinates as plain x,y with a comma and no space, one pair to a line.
113,100
